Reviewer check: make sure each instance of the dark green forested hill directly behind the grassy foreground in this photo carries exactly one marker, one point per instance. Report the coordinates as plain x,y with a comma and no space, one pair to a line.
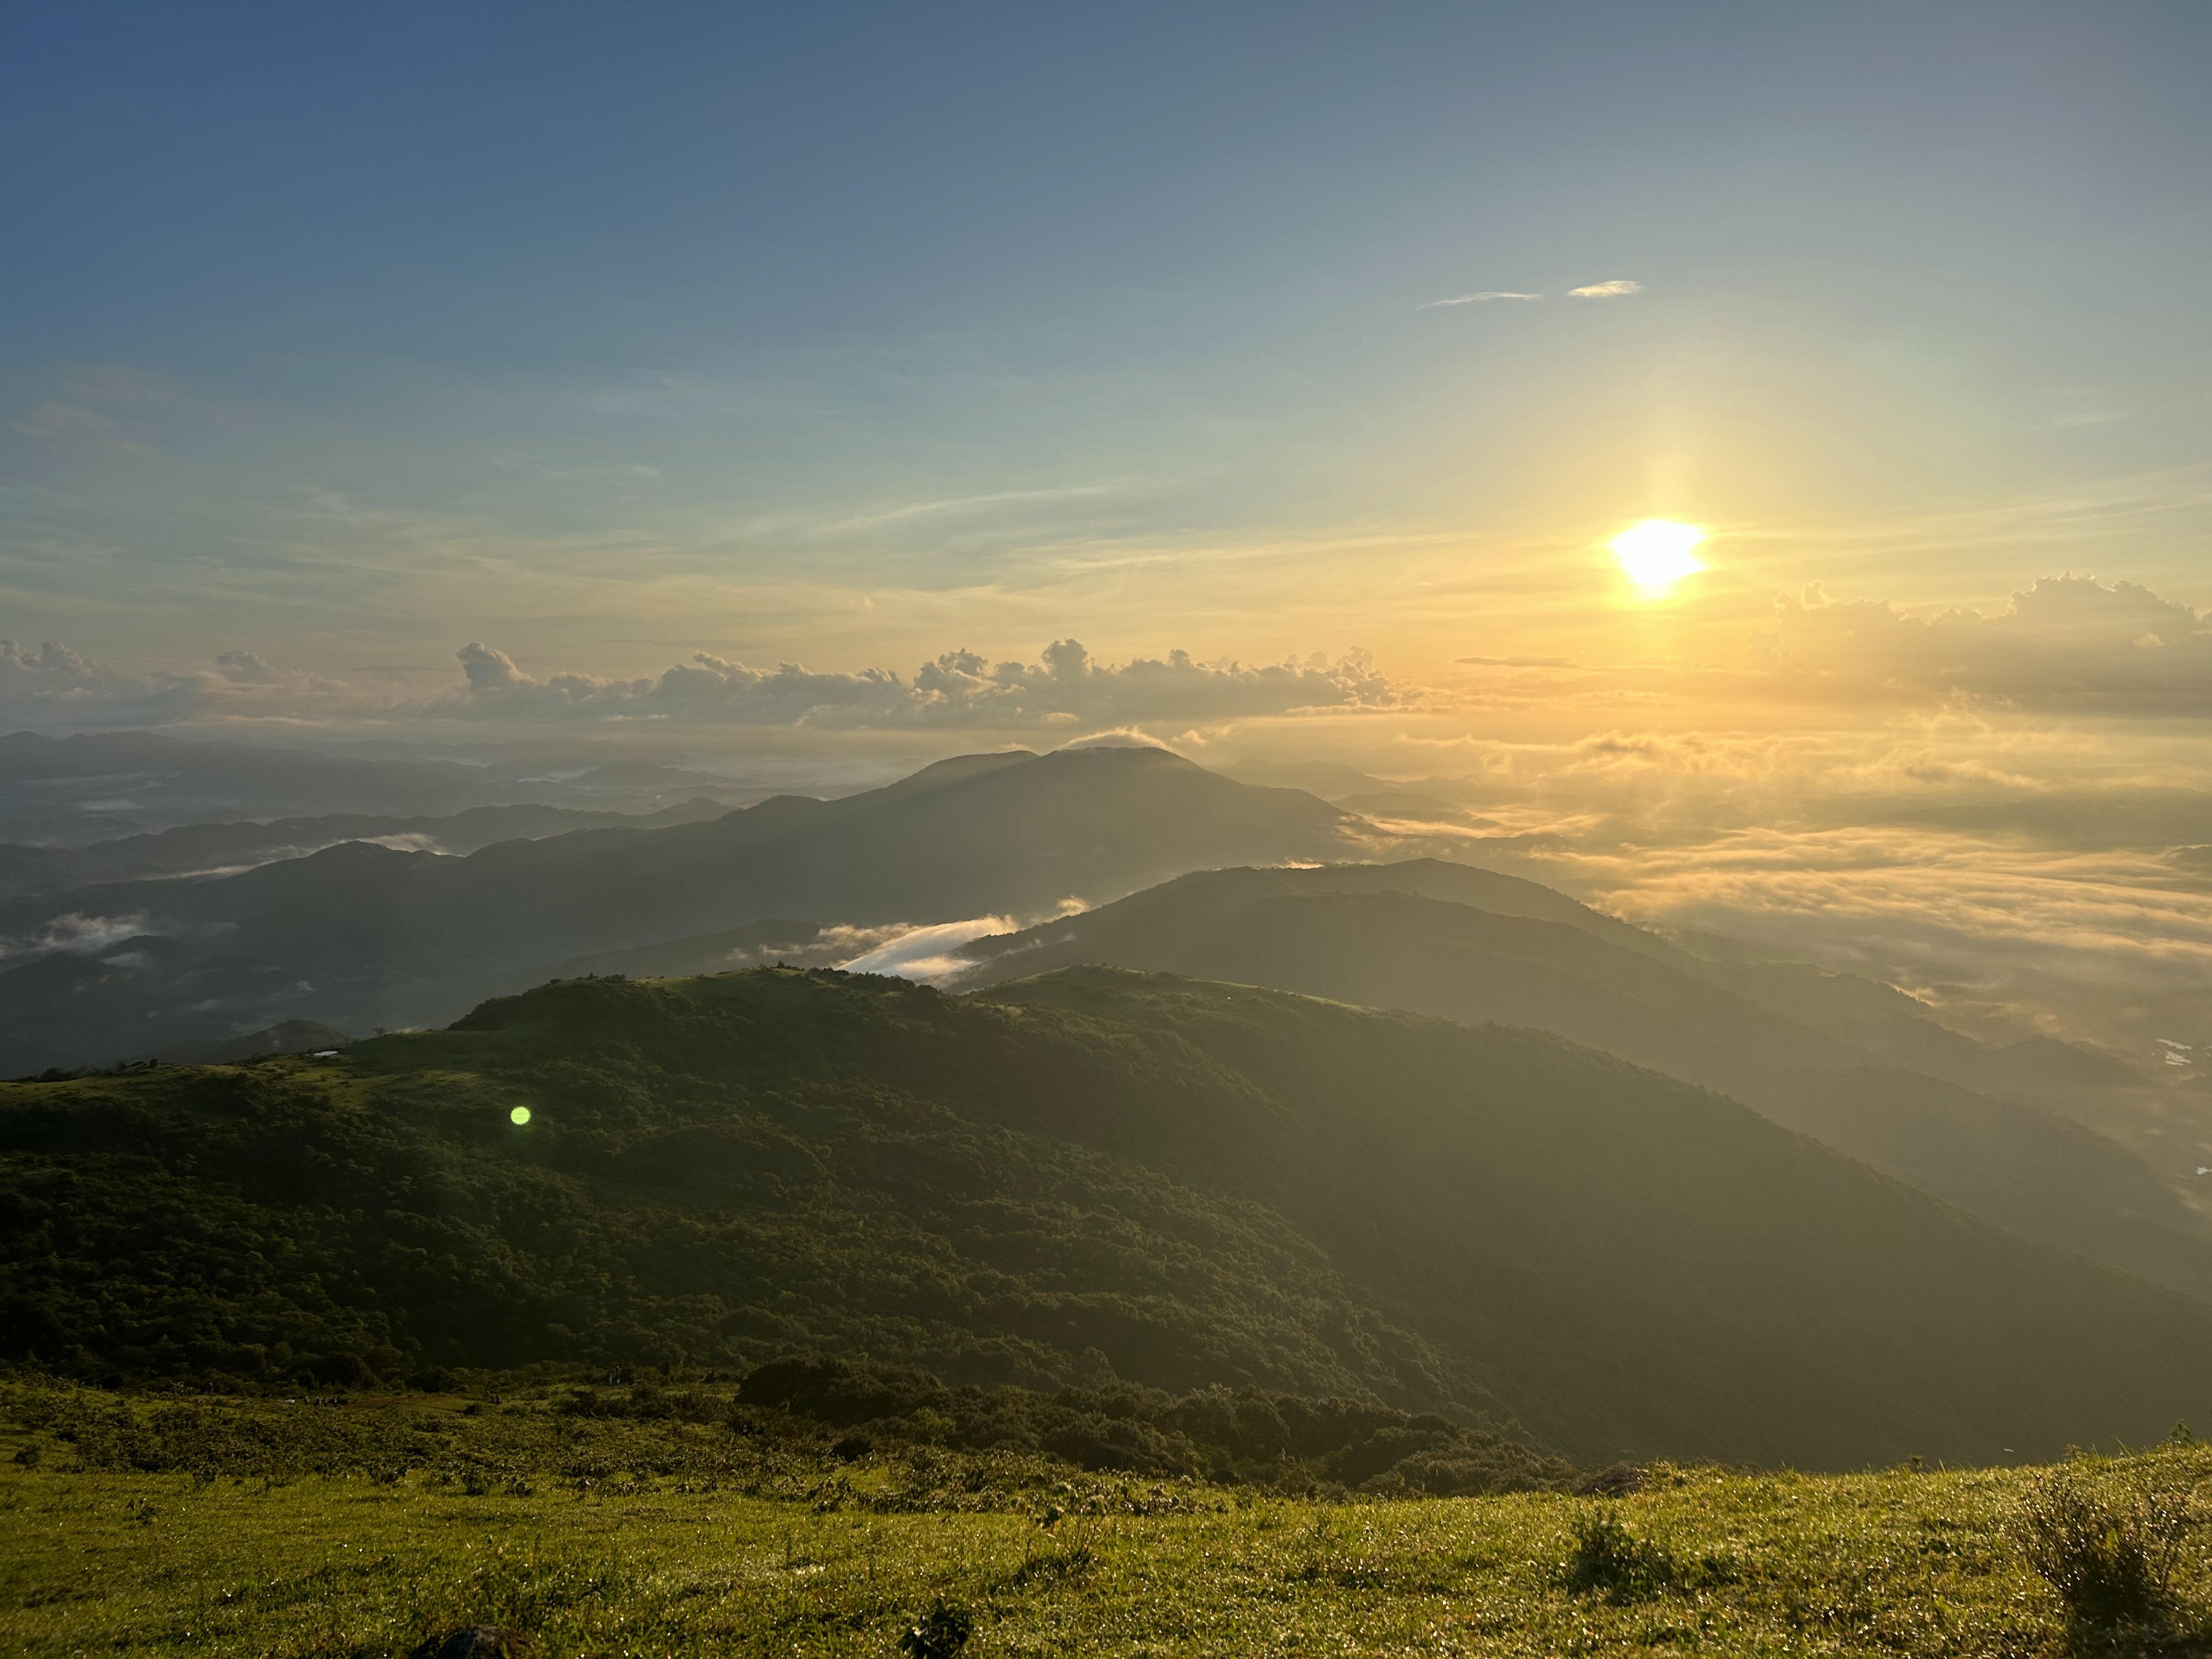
1076,1176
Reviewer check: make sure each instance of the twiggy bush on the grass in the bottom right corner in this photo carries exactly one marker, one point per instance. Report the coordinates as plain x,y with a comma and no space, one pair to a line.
2107,1543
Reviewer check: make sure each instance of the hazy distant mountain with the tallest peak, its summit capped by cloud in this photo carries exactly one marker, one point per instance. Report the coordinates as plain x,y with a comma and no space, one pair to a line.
366,937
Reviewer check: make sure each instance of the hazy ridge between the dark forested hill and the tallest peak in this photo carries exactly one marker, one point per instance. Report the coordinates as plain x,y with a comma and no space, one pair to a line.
1472,946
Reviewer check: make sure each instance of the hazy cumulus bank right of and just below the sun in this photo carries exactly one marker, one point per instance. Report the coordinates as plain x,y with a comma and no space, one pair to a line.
2069,643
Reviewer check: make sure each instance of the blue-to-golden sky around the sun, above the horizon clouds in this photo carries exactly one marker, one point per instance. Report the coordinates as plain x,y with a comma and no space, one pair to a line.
862,333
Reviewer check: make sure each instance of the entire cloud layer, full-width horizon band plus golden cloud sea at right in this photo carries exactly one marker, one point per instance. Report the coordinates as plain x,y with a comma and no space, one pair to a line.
2005,811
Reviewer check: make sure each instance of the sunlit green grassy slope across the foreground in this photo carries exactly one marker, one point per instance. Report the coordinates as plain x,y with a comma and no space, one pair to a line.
674,1558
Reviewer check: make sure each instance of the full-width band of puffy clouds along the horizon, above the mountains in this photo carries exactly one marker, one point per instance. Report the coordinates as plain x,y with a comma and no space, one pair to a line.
2067,645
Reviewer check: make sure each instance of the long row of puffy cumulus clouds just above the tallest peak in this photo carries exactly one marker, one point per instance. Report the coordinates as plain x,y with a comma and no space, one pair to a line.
1065,687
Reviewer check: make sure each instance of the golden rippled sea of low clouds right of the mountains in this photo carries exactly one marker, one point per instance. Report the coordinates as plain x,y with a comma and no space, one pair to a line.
2016,873
